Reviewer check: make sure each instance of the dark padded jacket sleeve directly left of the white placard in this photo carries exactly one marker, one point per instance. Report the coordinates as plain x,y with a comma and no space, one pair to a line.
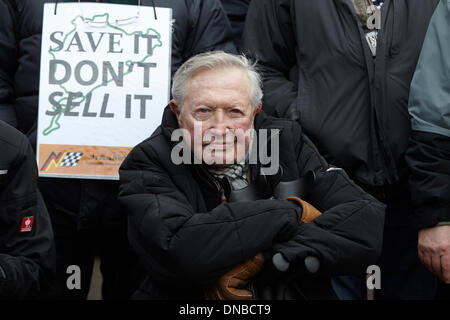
20,51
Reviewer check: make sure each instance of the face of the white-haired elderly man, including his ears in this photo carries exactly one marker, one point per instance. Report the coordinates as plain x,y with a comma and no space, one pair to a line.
217,113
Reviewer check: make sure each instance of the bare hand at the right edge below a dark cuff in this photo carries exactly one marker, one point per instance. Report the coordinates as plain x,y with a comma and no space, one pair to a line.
434,250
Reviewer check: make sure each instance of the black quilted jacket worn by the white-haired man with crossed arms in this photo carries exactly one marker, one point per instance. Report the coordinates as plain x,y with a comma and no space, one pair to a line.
186,237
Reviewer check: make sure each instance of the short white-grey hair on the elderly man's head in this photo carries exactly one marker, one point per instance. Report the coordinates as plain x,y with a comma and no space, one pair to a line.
214,60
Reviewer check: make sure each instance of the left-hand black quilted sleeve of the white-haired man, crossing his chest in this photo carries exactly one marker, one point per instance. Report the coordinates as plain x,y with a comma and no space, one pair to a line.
177,243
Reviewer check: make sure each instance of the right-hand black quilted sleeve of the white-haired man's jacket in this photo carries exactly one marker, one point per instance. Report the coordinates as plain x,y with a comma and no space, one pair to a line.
347,237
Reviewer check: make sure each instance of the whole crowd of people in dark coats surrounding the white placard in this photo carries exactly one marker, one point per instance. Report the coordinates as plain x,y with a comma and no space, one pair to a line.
355,96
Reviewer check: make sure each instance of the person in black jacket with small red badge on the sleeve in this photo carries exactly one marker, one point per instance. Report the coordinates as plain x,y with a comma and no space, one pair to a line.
27,253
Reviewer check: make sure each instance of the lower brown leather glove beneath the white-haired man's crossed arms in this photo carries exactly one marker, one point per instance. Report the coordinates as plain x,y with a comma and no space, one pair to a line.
233,284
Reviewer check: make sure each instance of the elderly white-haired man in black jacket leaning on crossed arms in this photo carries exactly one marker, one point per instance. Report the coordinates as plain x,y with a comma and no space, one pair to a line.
183,222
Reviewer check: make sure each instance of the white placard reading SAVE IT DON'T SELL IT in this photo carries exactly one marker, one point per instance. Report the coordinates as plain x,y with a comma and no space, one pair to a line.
104,83
